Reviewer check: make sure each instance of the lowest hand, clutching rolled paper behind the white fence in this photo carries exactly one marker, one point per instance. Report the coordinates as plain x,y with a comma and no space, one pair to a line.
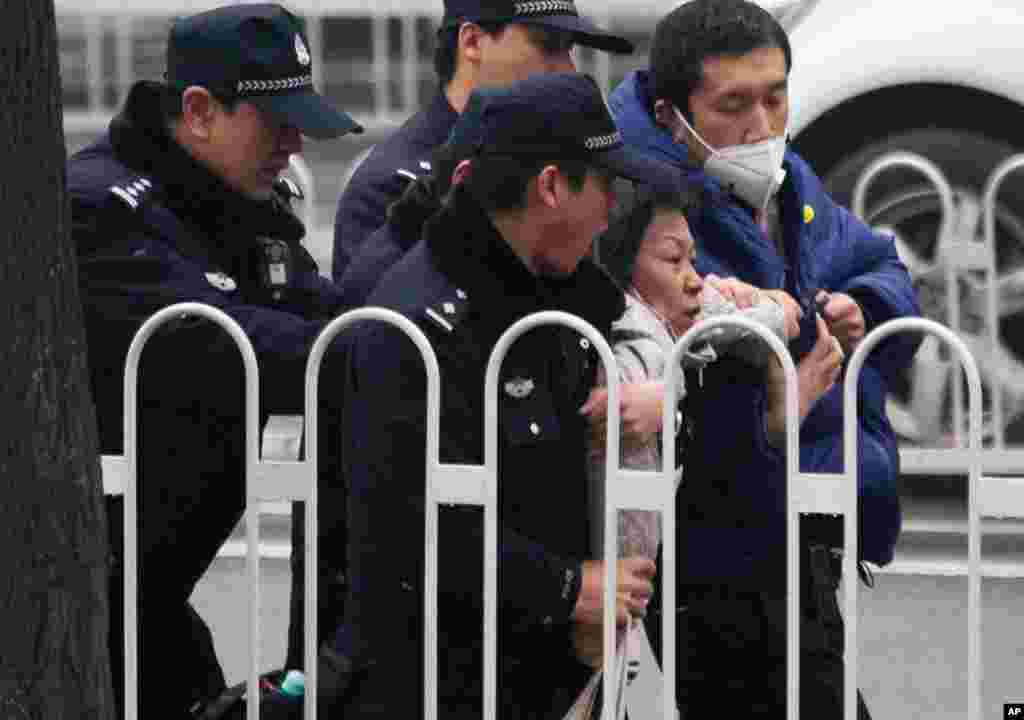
633,591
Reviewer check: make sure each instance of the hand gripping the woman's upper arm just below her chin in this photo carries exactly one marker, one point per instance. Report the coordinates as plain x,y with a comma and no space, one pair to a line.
641,412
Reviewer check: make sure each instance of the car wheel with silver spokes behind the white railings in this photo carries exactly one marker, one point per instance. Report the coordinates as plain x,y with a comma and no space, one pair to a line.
904,203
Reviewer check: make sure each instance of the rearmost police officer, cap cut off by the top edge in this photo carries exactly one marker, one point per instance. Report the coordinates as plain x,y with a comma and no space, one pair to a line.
481,44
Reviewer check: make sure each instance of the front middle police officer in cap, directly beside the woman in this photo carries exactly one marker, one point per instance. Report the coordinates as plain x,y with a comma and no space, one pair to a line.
510,241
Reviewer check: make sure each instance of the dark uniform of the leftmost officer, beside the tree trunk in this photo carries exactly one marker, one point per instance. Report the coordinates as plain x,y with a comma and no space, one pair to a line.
153,228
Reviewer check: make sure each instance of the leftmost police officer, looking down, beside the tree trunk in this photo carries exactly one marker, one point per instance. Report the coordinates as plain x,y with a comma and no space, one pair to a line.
182,201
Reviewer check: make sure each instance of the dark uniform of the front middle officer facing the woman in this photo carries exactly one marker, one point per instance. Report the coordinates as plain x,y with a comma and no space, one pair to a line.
463,286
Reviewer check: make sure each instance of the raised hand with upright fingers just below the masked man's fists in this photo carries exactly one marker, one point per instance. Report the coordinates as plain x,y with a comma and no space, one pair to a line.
817,373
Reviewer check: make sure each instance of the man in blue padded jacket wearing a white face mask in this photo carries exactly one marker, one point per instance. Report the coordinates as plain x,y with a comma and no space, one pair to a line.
714,103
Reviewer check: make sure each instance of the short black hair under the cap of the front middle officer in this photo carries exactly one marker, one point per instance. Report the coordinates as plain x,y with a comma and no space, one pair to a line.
499,182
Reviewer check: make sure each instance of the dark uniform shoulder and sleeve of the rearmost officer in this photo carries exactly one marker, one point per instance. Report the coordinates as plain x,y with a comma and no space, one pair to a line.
385,175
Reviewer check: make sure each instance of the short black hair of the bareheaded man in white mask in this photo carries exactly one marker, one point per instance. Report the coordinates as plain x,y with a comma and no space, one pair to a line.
702,29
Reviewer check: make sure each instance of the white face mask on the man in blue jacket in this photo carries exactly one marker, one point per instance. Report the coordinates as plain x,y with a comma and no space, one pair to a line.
753,173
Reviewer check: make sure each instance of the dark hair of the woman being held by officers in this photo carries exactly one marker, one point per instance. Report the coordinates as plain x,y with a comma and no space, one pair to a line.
617,248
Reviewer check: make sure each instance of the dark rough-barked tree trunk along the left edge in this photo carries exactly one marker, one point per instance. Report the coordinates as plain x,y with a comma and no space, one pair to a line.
54,607
